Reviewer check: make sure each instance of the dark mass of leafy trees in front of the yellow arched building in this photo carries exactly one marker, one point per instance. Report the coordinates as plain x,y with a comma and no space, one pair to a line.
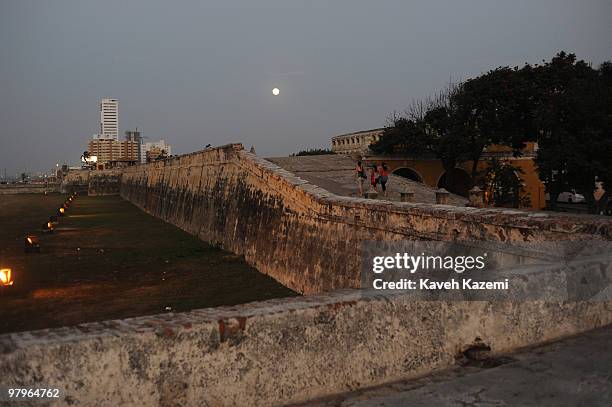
564,104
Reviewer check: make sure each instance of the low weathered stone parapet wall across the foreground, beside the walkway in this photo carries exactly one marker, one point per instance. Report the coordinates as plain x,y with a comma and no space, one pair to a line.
276,352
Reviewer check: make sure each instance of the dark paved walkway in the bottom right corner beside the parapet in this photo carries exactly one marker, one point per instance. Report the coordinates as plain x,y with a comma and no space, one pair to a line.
572,372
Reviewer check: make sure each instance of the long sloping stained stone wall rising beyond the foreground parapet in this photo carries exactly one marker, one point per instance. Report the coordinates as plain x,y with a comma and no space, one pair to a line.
305,237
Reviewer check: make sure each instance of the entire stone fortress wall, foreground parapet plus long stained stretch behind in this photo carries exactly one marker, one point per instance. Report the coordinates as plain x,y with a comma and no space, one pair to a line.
292,350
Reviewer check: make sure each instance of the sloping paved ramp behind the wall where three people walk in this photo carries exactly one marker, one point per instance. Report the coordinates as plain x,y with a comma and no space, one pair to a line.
336,173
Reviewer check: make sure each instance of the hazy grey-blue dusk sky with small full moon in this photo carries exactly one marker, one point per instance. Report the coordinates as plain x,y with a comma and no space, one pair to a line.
199,72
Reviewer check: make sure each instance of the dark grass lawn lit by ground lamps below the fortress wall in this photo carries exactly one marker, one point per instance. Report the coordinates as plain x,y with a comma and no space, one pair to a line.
107,259
